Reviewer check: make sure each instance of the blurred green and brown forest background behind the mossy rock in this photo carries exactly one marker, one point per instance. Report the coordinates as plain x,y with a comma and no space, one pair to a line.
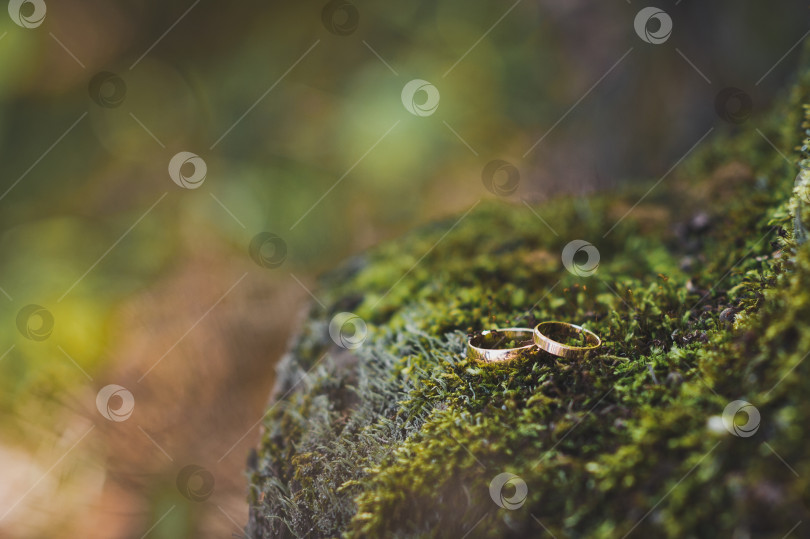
296,110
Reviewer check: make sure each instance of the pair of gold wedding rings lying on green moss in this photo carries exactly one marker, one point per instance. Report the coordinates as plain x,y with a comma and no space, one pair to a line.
557,338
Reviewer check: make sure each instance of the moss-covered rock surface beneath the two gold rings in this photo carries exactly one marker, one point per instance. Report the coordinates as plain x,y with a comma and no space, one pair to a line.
701,297
